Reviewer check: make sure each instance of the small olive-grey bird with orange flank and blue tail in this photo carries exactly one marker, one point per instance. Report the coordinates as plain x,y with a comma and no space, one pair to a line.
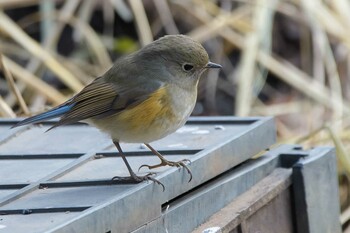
143,97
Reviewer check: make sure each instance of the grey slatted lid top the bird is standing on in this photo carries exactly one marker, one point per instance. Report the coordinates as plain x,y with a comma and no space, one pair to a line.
214,146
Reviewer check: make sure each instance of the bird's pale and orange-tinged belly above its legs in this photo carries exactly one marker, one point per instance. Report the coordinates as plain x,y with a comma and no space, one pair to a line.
151,120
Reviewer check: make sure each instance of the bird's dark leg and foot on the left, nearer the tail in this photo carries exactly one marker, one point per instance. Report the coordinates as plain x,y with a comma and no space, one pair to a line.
133,176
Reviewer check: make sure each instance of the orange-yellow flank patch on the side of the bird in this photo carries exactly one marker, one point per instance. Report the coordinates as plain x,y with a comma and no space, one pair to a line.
151,111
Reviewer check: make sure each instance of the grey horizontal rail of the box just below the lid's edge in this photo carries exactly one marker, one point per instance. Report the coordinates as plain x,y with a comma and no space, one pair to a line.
188,212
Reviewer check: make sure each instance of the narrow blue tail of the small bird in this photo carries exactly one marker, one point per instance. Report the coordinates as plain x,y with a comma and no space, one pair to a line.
53,113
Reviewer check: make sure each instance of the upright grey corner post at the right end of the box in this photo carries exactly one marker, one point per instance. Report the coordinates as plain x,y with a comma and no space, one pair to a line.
316,192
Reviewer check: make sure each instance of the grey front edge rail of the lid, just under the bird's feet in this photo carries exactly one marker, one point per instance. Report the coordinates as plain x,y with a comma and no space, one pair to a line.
214,161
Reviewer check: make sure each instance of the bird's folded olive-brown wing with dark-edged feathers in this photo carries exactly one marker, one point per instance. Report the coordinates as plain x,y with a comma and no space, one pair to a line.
101,99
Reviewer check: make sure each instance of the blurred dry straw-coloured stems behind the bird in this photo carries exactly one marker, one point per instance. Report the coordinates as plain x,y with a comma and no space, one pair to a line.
286,58
